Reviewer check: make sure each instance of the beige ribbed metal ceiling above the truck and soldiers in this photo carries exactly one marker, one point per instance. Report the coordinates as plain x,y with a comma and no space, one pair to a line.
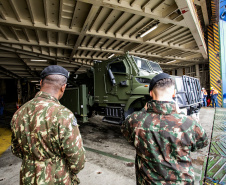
74,33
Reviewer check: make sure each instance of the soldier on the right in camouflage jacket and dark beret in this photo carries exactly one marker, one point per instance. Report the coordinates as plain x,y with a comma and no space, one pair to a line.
163,138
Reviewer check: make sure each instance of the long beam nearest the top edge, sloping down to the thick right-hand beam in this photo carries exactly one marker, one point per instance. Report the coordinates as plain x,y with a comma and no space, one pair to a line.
126,7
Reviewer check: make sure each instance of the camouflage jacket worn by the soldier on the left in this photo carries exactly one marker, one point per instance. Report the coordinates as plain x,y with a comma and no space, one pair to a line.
45,135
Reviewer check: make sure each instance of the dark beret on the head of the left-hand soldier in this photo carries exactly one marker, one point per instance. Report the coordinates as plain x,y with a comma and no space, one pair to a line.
54,70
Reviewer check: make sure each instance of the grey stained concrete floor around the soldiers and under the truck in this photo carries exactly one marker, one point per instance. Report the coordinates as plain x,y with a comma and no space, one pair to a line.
109,156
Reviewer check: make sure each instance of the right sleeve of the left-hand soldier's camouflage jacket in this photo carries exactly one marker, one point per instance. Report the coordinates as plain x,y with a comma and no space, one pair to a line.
71,144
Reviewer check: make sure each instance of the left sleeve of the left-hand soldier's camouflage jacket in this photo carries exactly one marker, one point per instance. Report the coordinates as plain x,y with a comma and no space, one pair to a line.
15,147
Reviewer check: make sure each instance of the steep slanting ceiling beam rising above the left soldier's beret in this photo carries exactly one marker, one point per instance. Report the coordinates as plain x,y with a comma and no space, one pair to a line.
86,25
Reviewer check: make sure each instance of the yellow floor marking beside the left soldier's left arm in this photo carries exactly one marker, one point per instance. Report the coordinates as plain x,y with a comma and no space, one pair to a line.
5,139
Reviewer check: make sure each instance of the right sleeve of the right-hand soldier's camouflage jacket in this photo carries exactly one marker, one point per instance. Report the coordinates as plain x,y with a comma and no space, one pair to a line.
201,139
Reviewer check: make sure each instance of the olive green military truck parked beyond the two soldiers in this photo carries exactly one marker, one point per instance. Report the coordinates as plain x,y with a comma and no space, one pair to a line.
119,86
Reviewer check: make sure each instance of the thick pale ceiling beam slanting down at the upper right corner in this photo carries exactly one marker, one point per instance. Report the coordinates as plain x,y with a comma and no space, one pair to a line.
188,10
